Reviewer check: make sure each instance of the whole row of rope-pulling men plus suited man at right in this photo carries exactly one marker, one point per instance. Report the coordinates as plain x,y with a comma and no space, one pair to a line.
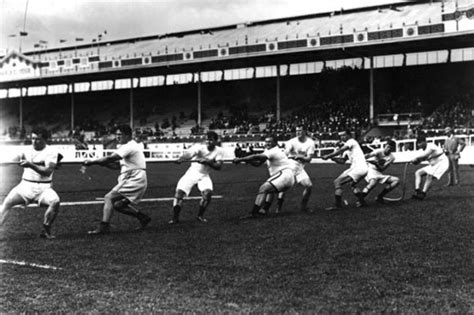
286,167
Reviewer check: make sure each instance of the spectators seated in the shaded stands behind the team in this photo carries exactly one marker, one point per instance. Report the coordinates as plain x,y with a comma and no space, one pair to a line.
322,120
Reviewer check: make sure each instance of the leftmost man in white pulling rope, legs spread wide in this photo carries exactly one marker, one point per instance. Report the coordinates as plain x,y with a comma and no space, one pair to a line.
38,162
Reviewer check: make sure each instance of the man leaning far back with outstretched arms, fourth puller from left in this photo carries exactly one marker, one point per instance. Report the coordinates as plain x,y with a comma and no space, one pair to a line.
282,172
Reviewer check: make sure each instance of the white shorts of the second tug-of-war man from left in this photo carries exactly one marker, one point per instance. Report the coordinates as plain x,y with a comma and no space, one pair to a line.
132,185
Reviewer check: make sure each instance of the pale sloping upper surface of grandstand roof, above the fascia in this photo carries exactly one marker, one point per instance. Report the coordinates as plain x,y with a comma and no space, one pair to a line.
337,22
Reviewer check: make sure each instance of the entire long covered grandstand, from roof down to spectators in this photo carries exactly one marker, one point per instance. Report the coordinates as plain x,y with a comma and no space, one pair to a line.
389,70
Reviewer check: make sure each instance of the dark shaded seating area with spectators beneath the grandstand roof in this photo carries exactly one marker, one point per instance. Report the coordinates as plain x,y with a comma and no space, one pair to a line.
332,101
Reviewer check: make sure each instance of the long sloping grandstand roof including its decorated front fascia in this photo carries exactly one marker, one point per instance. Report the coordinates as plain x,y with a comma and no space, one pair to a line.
322,36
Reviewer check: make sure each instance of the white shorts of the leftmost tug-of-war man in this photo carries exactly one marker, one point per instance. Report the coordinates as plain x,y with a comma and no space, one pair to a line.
30,192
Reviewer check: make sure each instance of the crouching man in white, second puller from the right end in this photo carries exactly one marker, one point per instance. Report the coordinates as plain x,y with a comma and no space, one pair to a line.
378,161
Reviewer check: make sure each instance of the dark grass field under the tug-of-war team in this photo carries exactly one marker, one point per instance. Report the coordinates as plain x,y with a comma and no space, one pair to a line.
406,257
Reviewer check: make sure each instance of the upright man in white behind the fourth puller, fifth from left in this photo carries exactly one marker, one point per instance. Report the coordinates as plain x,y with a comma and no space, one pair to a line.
300,149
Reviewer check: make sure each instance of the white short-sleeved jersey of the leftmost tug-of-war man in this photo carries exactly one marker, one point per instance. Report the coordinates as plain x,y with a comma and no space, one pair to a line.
46,157
